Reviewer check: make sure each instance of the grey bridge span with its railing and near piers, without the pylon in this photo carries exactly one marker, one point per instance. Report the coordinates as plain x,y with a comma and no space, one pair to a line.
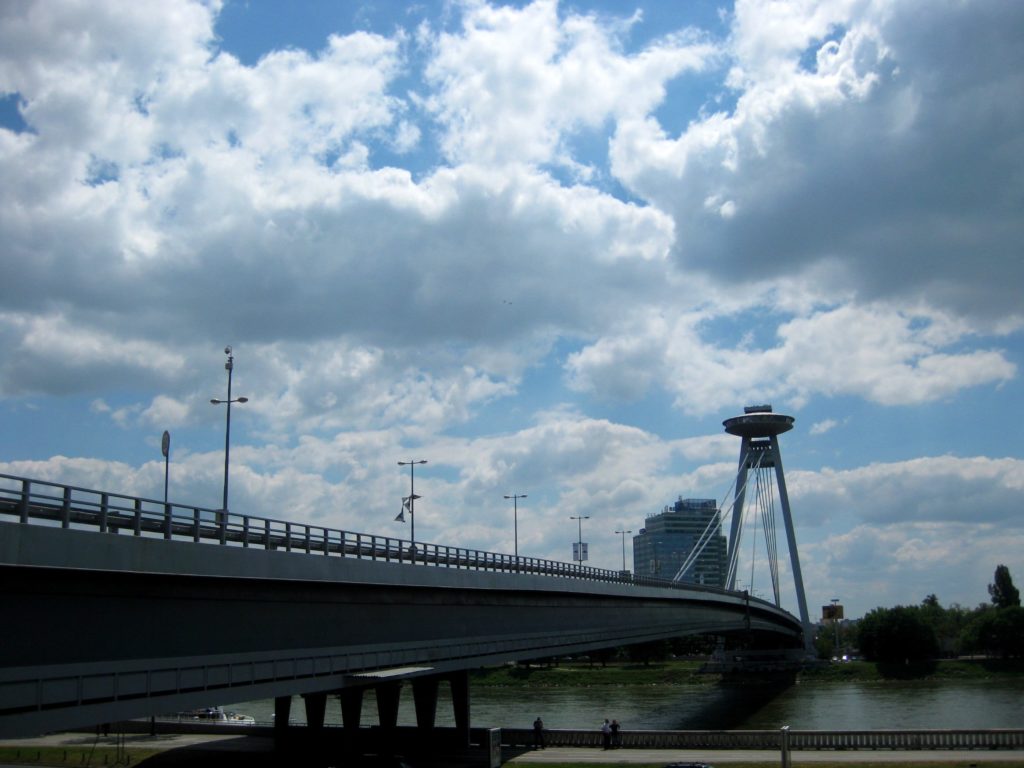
119,608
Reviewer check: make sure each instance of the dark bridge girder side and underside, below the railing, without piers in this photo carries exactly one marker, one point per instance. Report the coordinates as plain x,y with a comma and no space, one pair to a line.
105,627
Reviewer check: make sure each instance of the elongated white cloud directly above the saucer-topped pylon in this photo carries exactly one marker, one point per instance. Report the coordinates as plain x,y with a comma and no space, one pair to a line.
875,353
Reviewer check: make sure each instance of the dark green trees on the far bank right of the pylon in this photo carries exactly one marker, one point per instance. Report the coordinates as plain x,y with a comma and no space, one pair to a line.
911,633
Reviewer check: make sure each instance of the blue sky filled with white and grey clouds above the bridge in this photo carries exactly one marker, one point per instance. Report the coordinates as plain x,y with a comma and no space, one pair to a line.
548,248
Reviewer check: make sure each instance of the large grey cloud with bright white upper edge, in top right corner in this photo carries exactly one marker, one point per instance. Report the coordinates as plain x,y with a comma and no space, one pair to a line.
860,142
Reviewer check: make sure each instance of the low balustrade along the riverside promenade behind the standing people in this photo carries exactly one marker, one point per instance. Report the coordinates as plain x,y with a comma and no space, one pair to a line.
773,740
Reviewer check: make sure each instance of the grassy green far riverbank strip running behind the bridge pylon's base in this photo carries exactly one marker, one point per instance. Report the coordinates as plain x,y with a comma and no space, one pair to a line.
583,674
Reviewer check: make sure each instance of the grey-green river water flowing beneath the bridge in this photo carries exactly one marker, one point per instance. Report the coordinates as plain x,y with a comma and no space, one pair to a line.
994,704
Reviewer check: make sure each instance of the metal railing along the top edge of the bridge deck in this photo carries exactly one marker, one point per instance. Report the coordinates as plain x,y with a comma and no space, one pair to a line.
45,503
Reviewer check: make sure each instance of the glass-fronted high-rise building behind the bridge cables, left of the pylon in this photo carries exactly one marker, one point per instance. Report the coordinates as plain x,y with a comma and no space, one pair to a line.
668,538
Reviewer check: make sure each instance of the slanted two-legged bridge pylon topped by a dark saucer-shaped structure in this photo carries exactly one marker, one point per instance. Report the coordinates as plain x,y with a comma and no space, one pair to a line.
759,430
